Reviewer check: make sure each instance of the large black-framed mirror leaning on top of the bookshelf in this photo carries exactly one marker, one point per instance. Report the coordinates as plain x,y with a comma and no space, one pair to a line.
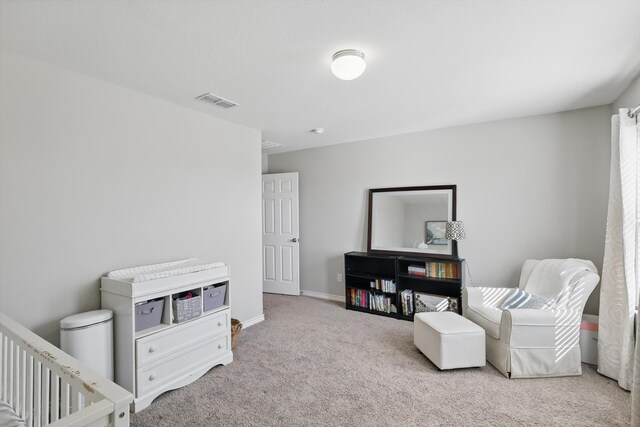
411,220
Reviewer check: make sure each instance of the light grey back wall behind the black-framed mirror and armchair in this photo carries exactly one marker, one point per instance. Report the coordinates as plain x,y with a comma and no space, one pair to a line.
533,187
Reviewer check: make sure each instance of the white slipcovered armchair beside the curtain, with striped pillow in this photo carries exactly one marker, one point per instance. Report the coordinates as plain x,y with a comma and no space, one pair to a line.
535,342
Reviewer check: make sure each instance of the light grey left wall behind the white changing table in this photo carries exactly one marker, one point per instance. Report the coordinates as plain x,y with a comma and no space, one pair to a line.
95,177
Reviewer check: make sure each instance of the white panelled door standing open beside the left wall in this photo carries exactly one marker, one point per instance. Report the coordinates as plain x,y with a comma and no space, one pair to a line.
280,247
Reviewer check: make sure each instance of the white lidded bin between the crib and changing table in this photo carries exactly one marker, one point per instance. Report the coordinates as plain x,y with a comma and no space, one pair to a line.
89,338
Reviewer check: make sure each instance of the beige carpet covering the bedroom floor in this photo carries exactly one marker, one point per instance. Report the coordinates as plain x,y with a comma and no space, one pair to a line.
313,363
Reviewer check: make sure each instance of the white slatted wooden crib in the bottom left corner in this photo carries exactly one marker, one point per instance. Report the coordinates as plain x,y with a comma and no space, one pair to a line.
44,386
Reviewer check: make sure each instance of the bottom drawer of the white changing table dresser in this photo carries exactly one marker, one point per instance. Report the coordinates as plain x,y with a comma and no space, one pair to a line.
158,374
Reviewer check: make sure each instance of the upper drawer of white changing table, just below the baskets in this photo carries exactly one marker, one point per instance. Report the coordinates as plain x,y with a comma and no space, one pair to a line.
157,346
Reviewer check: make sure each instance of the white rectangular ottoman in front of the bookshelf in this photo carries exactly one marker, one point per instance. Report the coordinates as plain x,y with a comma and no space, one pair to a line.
449,340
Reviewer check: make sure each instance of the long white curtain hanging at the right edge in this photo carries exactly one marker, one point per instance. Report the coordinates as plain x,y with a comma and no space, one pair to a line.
620,278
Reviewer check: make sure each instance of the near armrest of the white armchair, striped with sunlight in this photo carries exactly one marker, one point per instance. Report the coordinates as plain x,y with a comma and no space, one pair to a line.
534,328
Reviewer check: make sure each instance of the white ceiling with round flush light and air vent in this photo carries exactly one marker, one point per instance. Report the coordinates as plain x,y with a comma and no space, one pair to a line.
431,64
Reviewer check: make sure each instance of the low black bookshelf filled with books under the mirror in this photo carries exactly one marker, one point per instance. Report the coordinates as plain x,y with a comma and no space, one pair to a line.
402,284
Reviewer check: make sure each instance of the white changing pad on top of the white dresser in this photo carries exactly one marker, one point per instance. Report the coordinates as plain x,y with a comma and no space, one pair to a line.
159,271
